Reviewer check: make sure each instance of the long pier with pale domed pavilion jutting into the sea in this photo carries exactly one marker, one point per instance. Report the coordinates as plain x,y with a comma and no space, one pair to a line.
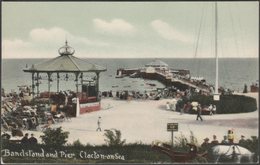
158,70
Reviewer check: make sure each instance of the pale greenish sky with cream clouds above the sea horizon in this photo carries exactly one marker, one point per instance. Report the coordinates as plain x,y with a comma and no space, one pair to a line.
130,29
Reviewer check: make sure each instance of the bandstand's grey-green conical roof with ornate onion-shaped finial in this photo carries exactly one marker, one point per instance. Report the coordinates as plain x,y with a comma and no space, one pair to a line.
66,62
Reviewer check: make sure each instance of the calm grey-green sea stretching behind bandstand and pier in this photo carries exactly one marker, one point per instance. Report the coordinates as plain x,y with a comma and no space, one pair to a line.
234,73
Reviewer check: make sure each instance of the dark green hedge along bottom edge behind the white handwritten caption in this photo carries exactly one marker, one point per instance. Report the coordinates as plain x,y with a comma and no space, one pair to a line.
133,153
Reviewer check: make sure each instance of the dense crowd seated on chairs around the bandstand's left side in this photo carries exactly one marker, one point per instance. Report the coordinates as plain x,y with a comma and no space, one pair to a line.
17,114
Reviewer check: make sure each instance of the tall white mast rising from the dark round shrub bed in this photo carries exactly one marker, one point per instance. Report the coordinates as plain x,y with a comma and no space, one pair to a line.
216,94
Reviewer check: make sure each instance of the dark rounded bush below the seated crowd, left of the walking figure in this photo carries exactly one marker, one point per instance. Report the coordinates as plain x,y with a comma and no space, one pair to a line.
54,137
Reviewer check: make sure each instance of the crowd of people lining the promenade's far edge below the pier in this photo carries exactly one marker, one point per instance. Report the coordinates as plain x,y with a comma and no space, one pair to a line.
180,100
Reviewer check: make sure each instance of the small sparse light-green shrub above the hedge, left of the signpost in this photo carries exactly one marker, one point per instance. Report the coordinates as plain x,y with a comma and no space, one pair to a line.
113,137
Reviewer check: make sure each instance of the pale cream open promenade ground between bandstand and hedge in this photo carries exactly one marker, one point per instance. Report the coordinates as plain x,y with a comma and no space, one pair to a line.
146,120
